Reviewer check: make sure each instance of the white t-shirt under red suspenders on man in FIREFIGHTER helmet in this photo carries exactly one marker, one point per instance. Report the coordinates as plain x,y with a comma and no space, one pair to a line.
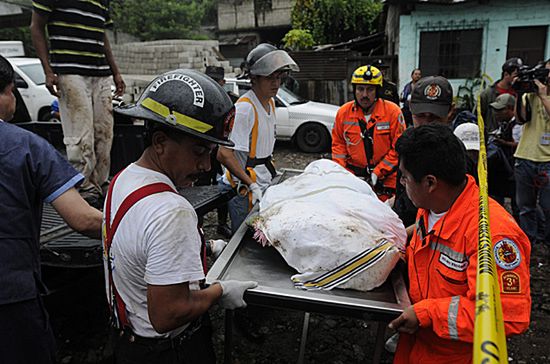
157,242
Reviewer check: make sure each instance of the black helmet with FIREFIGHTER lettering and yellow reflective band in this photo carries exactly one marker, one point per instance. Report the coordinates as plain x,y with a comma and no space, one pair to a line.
189,101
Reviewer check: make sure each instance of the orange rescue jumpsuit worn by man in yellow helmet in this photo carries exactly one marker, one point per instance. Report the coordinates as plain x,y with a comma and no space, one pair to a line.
387,125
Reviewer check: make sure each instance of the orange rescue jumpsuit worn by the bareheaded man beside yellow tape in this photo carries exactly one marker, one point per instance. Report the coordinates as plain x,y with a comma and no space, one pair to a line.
442,267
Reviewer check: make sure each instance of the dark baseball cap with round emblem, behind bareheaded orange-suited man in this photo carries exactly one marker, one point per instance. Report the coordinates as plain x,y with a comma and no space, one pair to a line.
432,94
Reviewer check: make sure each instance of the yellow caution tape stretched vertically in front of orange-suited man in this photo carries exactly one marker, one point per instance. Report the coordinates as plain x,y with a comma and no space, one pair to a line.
489,335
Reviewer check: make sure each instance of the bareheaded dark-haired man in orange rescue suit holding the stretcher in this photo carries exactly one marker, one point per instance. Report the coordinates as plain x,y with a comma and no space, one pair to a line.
442,255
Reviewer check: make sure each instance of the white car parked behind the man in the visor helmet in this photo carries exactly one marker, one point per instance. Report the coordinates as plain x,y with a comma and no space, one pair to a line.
307,123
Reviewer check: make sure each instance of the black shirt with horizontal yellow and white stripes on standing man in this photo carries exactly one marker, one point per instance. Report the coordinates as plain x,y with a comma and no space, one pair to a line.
76,30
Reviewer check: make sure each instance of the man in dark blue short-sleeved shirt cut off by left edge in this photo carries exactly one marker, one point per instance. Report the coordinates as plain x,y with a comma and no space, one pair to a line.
32,173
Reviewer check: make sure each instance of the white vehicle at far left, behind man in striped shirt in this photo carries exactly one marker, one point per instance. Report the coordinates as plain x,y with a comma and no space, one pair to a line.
30,80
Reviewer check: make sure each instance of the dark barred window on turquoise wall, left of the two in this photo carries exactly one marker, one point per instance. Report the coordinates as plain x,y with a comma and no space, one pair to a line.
451,53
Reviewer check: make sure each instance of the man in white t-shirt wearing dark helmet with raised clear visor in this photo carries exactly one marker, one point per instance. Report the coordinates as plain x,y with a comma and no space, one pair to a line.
249,168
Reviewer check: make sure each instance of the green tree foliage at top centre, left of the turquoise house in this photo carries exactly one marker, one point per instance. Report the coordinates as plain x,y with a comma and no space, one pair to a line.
333,21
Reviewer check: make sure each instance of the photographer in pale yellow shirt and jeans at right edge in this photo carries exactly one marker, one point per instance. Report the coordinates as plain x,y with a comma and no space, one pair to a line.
532,167
